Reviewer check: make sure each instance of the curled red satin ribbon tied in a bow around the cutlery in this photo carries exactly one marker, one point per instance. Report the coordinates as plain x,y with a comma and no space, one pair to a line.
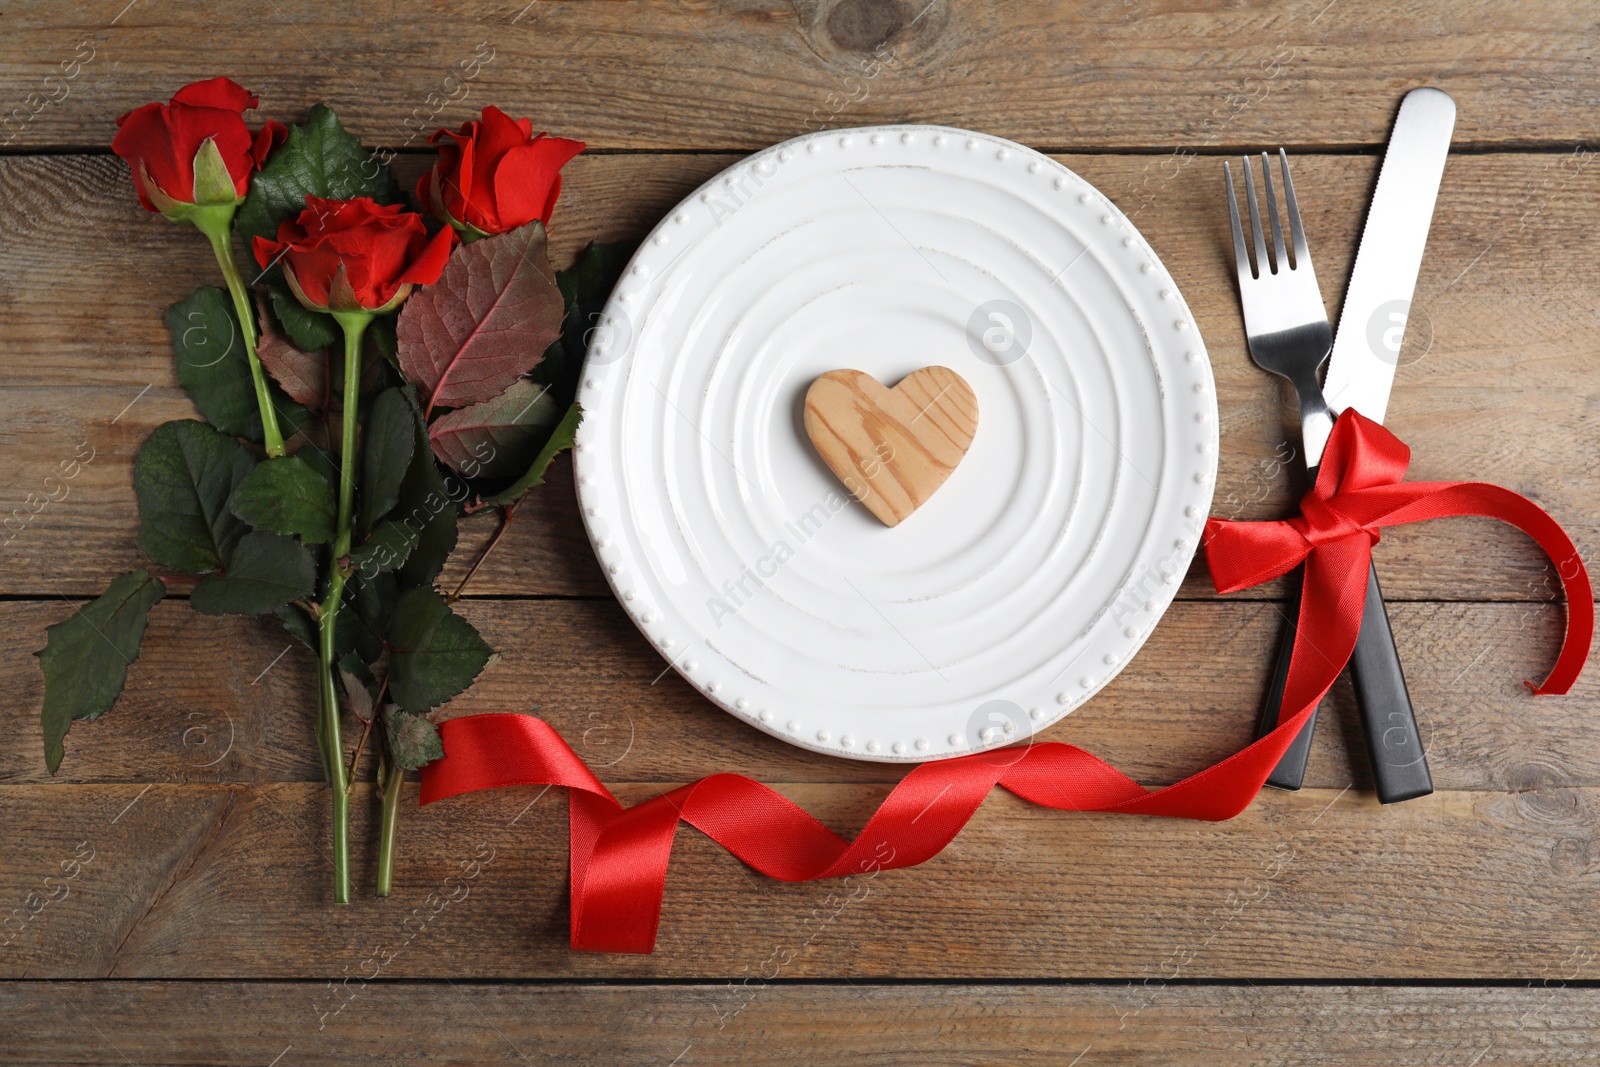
620,855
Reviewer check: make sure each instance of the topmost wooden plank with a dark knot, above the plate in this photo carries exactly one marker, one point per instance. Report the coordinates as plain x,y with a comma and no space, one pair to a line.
740,76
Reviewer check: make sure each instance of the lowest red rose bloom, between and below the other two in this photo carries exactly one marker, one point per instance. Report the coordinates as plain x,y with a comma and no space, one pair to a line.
356,255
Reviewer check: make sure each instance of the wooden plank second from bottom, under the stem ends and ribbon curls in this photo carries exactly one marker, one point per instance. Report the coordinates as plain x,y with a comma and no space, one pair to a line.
234,882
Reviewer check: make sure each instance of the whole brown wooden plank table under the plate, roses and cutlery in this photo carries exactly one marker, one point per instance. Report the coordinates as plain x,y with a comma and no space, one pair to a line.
1314,929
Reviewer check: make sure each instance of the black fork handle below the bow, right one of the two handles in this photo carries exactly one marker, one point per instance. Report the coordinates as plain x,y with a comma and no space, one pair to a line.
1393,740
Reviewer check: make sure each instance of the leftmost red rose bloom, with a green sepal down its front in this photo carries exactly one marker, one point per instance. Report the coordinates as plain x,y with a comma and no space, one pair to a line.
166,145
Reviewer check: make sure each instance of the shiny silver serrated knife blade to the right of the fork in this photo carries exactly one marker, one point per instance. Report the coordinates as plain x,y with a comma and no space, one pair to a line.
1383,281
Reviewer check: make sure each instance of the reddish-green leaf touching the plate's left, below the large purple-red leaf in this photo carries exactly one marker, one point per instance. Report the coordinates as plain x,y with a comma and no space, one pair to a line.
498,438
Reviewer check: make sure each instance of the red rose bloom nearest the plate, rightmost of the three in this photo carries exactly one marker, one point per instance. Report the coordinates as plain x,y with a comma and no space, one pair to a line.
497,175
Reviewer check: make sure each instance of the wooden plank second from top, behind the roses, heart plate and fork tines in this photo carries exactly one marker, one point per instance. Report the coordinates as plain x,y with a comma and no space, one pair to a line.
1495,386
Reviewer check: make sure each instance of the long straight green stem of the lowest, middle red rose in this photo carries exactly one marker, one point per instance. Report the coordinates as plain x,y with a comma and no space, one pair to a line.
354,326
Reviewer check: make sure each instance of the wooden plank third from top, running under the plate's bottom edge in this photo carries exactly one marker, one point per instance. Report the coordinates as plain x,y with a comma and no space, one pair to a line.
1186,701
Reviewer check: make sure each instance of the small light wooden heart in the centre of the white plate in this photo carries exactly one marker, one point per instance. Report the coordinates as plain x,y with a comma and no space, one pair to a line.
892,447
